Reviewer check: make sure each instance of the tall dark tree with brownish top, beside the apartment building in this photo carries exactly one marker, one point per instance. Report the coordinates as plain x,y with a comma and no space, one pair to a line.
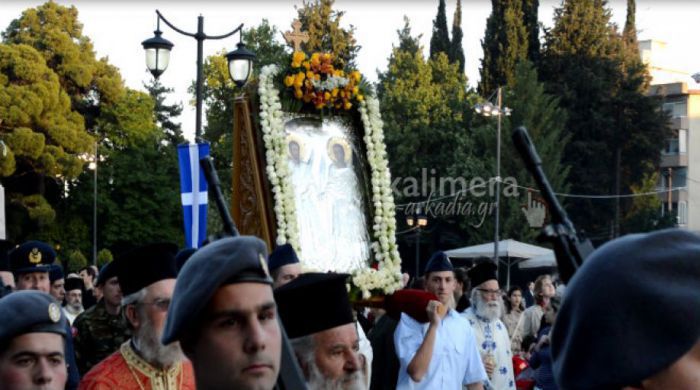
612,123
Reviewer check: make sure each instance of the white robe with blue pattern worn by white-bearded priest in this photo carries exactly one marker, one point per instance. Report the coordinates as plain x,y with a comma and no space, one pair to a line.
492,338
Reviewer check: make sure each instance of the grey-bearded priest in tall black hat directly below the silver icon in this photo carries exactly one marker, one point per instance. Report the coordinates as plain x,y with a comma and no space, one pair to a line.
323,334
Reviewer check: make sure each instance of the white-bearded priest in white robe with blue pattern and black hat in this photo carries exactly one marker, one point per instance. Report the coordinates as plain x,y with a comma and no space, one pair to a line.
491,334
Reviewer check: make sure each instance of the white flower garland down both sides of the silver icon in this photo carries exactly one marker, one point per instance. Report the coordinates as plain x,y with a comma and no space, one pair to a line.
387,278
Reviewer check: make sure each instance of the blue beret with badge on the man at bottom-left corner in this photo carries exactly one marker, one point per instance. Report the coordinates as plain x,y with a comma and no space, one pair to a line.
30,311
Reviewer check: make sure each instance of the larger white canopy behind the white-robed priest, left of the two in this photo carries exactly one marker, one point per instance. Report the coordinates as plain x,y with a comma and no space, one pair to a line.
509,252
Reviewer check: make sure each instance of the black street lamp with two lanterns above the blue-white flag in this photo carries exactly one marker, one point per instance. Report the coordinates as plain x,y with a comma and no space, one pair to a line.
240,61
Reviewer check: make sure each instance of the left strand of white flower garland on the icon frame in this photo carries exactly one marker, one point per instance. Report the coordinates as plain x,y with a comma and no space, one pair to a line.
276,159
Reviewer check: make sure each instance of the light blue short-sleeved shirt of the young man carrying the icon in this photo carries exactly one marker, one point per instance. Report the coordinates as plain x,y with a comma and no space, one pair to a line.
455,361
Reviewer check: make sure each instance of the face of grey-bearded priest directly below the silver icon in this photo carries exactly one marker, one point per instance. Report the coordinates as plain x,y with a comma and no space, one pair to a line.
337,357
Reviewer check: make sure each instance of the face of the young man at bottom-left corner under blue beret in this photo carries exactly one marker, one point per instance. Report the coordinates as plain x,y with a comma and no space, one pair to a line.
34,361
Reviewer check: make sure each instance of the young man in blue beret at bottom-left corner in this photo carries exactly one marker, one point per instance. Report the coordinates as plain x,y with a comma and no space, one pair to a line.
32,337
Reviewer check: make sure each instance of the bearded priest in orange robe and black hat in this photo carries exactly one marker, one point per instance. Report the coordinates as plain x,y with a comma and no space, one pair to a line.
147,279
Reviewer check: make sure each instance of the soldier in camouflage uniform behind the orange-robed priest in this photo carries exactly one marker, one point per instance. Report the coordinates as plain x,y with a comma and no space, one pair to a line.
100,330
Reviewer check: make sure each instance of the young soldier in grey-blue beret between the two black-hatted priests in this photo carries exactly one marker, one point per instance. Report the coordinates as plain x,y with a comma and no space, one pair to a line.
224,315
